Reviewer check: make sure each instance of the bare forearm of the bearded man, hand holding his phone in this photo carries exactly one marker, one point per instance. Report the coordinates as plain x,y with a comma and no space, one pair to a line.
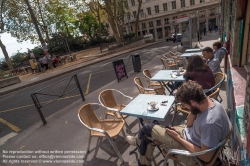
191,147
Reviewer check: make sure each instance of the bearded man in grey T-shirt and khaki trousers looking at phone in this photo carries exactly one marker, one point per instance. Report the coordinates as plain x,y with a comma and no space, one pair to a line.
207,125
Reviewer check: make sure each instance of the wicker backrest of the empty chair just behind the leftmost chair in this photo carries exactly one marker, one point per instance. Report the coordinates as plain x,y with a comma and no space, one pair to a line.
107,98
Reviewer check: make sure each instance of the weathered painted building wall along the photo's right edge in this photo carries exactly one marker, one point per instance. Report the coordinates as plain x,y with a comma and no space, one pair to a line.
236,37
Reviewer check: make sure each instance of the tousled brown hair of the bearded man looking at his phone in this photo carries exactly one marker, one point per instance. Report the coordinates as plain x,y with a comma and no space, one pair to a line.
190,90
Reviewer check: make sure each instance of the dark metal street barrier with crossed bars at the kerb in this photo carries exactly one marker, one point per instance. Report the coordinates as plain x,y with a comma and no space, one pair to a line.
38,104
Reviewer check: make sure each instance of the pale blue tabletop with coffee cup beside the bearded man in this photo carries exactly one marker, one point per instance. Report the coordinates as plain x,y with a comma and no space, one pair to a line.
138,107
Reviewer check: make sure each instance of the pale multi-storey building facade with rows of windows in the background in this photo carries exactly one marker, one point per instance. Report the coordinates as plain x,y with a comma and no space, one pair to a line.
157,17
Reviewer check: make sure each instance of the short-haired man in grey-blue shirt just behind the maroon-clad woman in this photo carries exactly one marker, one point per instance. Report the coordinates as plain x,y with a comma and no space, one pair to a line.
211,60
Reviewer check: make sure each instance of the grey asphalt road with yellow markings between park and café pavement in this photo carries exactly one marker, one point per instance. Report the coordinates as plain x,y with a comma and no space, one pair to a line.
17,108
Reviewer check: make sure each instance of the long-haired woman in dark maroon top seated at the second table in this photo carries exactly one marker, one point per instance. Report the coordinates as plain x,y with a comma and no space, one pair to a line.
200,72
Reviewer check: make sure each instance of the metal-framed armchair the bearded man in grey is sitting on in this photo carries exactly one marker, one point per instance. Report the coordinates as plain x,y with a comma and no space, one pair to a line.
218,150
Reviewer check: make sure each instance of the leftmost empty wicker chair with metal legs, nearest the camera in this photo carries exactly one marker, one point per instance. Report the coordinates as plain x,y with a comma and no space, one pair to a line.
109,128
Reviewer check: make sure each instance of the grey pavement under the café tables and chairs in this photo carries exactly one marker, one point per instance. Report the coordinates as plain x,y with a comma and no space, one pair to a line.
64,132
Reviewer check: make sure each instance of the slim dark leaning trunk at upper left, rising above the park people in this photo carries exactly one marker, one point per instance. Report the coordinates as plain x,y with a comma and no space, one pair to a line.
37,28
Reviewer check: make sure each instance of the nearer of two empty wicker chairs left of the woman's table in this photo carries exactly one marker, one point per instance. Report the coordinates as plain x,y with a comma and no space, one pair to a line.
142,90
